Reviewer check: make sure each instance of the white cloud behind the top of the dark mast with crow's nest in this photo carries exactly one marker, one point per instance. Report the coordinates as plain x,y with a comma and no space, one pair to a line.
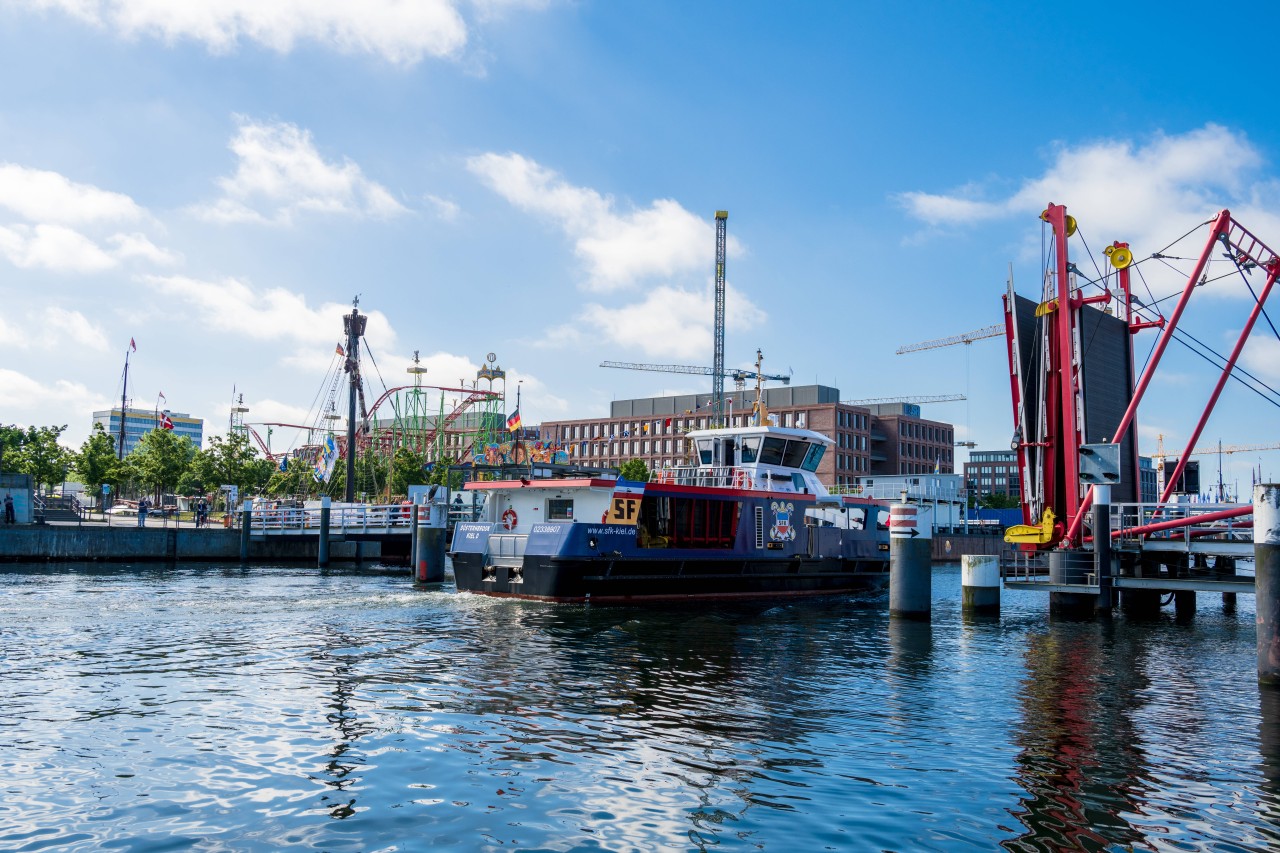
275,314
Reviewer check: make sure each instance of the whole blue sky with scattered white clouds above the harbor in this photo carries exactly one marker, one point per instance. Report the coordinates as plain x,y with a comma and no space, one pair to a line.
217,180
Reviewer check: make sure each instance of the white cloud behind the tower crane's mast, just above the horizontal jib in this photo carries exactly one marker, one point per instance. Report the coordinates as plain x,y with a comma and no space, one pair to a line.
671,323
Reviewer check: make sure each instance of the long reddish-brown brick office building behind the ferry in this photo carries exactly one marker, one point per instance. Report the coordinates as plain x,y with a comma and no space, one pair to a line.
877,440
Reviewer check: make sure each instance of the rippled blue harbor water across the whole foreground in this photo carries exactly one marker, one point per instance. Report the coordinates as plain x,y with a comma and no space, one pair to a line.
221,709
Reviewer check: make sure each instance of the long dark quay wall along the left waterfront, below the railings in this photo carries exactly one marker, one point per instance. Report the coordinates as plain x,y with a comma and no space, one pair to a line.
60,544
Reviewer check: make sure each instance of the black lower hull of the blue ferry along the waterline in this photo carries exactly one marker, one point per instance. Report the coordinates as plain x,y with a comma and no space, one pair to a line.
605,582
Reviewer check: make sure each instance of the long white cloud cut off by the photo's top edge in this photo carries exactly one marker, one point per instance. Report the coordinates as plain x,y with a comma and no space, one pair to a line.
400,33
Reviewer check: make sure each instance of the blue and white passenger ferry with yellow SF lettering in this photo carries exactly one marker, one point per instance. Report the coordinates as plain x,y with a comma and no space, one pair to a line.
751,521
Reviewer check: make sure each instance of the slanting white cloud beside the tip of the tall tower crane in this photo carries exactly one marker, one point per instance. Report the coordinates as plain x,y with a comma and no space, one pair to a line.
661,240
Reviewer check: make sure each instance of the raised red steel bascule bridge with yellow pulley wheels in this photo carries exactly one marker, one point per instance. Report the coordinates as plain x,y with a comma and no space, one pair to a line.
1076,400
